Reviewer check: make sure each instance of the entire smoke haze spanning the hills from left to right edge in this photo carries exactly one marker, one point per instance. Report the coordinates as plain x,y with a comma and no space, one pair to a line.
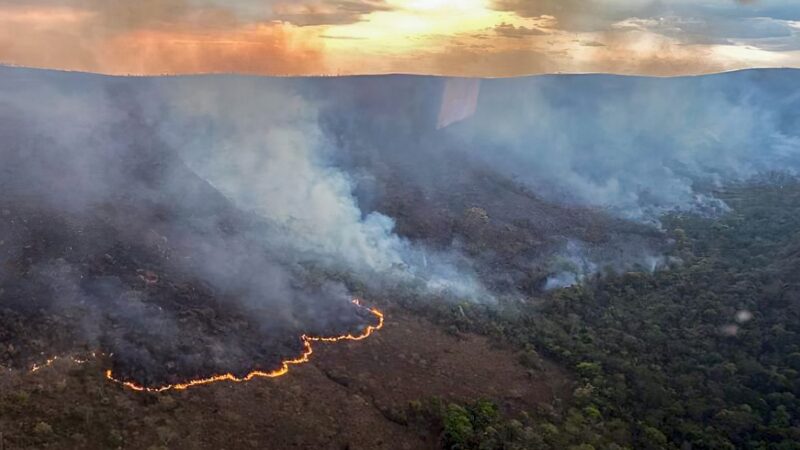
193,225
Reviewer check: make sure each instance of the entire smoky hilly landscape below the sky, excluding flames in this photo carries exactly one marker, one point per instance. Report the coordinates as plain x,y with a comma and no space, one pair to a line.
576,262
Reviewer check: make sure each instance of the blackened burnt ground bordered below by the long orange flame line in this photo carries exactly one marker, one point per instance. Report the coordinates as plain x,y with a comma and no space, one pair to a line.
158,331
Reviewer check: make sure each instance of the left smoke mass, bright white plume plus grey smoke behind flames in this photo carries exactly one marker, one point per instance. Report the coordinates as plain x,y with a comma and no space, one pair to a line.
188,226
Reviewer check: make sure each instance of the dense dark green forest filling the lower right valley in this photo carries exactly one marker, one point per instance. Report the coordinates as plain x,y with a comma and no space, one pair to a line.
704,354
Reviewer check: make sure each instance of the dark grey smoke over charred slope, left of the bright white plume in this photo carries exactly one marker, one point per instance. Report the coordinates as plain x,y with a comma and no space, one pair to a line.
108,233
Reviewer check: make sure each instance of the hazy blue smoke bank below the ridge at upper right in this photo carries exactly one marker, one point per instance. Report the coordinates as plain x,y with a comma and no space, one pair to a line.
638,147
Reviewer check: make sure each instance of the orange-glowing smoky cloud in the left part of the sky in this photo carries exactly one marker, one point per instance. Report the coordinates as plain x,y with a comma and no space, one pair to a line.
106,37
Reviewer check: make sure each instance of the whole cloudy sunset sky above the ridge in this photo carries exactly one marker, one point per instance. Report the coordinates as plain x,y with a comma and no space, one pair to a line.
476,38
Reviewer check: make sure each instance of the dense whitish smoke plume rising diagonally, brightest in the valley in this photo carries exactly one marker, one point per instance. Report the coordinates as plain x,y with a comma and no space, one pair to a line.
260,143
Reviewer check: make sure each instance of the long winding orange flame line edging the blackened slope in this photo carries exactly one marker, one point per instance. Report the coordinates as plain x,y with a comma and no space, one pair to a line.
282,370
